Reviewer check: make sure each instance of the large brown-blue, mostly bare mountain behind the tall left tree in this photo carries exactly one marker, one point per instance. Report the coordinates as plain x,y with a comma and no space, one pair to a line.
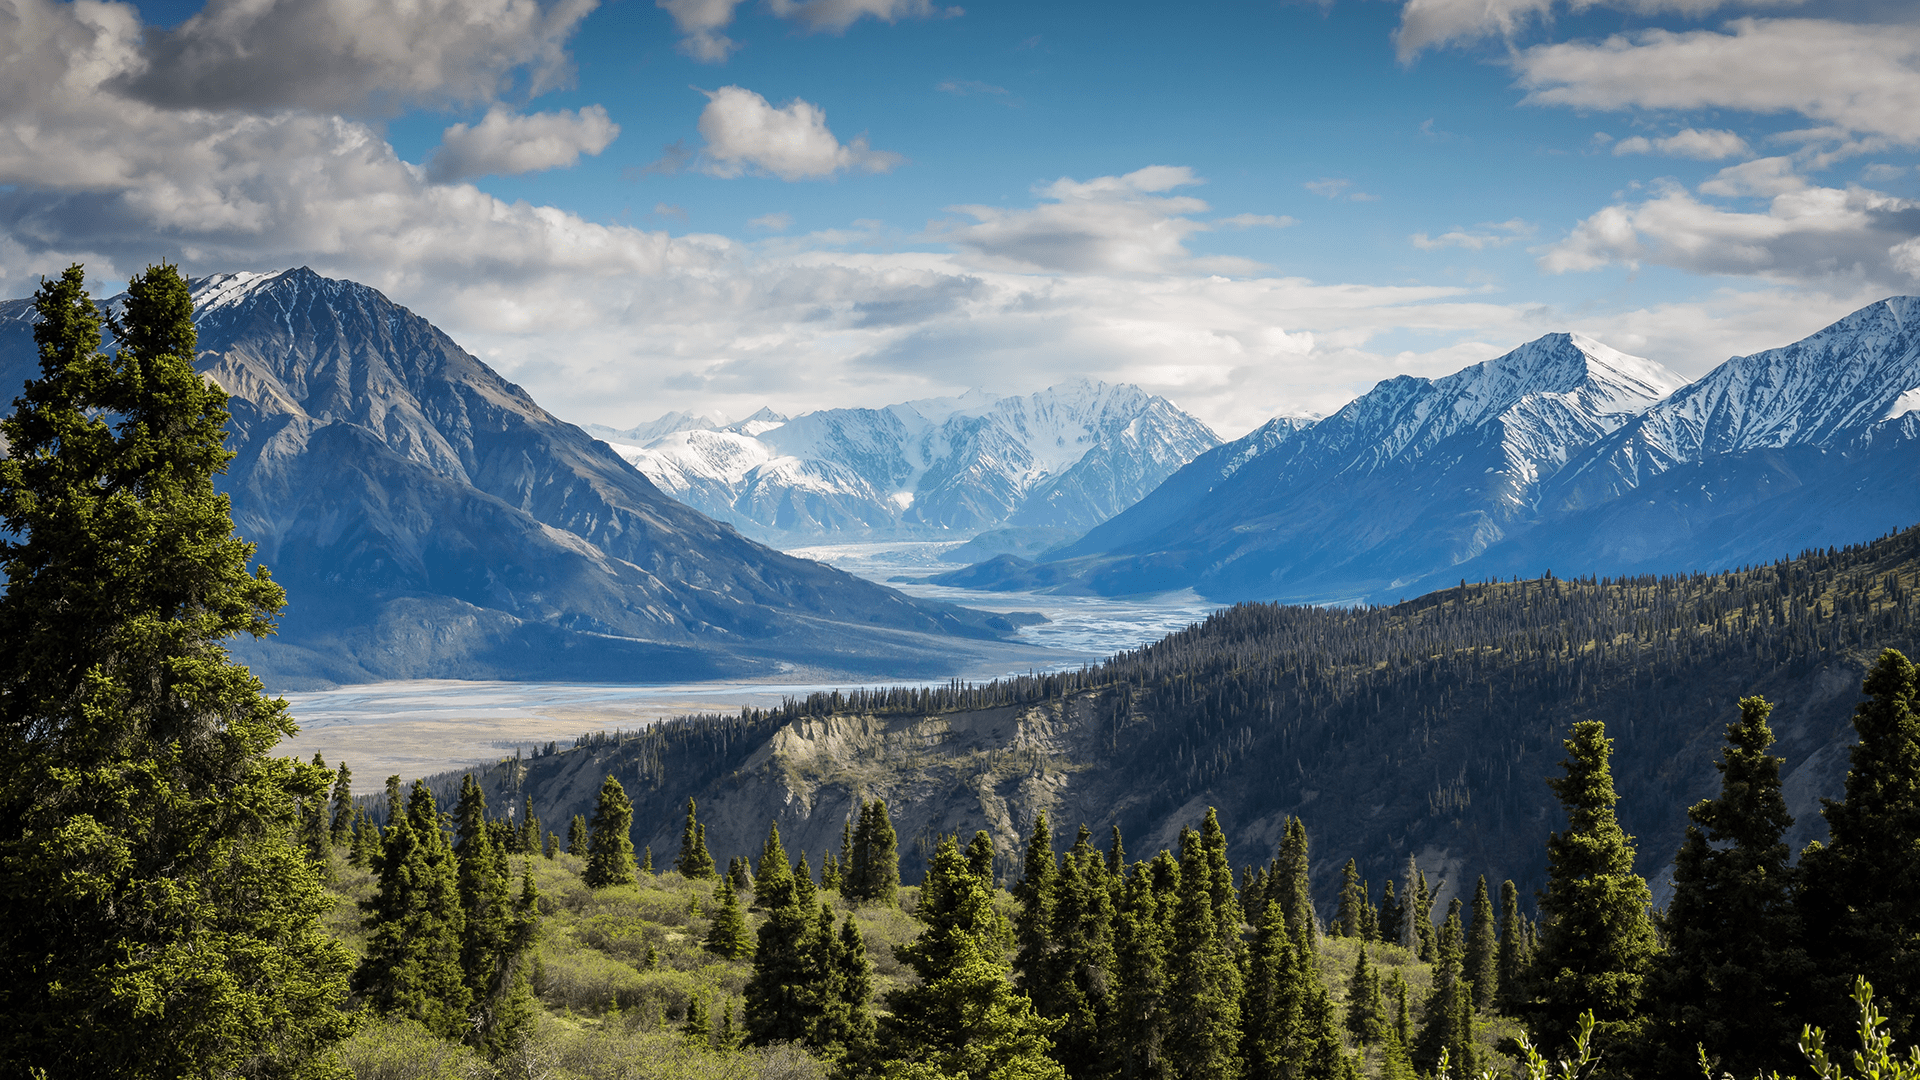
431,520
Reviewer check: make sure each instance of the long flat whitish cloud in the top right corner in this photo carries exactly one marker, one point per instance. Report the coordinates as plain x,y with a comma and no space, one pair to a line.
1856,78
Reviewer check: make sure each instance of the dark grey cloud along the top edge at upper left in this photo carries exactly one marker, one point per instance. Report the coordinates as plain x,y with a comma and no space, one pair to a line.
350,57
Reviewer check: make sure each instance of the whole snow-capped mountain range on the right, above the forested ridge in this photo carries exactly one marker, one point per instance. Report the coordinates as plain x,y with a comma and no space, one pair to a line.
1558,456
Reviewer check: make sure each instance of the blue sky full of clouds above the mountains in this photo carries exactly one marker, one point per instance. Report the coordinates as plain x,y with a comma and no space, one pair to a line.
1253,209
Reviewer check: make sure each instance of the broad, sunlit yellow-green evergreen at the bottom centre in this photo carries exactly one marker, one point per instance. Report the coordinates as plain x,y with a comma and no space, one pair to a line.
963,1021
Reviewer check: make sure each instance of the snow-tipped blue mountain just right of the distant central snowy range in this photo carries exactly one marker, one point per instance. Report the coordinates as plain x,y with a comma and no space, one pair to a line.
1414,478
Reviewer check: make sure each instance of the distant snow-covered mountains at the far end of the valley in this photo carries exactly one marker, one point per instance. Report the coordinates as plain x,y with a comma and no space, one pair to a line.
1065,458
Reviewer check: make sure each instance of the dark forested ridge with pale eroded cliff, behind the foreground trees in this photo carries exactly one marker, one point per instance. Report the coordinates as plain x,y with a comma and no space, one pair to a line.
1420,729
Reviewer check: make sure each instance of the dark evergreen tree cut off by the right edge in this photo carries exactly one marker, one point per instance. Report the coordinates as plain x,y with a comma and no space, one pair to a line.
1860,893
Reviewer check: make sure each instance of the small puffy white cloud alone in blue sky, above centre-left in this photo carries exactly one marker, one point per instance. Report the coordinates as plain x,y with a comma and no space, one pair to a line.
748,135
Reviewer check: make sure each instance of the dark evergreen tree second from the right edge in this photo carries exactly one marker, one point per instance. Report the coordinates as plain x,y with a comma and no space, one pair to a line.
1735,950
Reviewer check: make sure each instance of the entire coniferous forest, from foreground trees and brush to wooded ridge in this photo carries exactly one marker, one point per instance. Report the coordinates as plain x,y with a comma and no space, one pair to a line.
178,902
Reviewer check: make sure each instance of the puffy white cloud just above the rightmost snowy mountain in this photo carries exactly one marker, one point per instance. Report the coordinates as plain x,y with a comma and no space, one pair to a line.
1808,235
